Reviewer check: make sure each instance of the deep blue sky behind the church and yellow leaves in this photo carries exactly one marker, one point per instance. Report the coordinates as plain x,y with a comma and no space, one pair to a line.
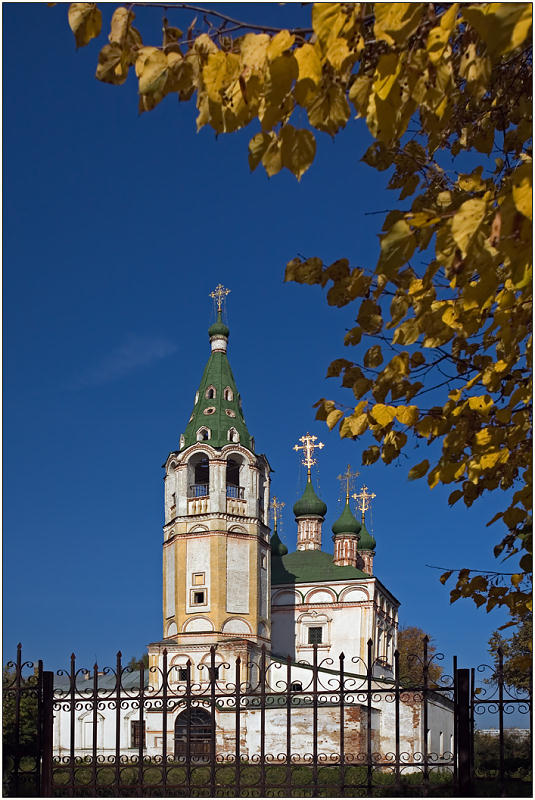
116,228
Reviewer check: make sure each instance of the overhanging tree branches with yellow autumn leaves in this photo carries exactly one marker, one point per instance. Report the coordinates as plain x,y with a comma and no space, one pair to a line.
444,320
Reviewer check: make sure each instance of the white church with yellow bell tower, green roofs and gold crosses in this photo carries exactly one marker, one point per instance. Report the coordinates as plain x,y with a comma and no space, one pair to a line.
231,590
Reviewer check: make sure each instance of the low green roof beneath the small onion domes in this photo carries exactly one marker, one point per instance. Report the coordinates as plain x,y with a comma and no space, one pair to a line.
309,566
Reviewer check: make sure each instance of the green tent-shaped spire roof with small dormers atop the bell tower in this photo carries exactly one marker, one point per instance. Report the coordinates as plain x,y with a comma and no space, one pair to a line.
217,413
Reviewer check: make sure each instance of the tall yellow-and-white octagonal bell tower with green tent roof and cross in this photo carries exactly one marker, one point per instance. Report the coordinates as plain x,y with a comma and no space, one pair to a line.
216,535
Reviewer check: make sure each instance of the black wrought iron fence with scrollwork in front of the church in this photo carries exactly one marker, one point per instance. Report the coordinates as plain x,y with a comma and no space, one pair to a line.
257,727
